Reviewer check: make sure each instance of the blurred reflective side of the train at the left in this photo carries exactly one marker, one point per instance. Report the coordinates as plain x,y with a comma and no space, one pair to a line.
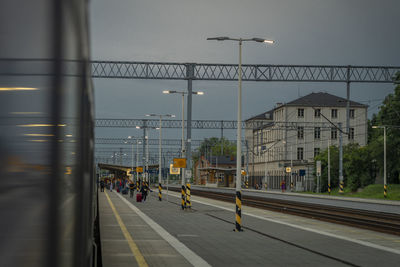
48,185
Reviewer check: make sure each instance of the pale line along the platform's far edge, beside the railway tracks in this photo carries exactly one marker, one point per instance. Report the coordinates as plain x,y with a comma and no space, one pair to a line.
364,243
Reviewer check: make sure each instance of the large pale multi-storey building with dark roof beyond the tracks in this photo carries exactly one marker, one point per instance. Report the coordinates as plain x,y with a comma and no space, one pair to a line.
294,133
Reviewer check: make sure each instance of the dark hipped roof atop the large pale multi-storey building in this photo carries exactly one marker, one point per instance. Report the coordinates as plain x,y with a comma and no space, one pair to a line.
323,100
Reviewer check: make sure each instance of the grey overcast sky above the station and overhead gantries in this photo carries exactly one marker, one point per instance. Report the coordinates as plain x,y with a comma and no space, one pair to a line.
339,32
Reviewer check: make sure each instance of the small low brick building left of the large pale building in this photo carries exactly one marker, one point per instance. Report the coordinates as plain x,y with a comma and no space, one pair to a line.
215,171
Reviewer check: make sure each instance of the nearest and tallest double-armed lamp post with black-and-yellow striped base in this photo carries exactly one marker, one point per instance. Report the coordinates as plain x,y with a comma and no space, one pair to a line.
239,123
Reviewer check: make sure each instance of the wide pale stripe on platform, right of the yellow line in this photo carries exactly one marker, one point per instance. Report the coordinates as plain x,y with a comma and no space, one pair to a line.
188,254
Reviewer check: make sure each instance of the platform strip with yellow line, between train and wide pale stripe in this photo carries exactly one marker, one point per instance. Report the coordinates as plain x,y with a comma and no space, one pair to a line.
117,248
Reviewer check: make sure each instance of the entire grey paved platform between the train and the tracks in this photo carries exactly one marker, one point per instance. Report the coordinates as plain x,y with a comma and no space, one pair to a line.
160,233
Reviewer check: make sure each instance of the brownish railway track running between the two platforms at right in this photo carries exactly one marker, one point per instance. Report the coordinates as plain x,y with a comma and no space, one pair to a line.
372,220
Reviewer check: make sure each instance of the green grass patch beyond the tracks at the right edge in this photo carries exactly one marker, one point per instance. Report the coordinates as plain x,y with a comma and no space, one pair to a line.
374,191
